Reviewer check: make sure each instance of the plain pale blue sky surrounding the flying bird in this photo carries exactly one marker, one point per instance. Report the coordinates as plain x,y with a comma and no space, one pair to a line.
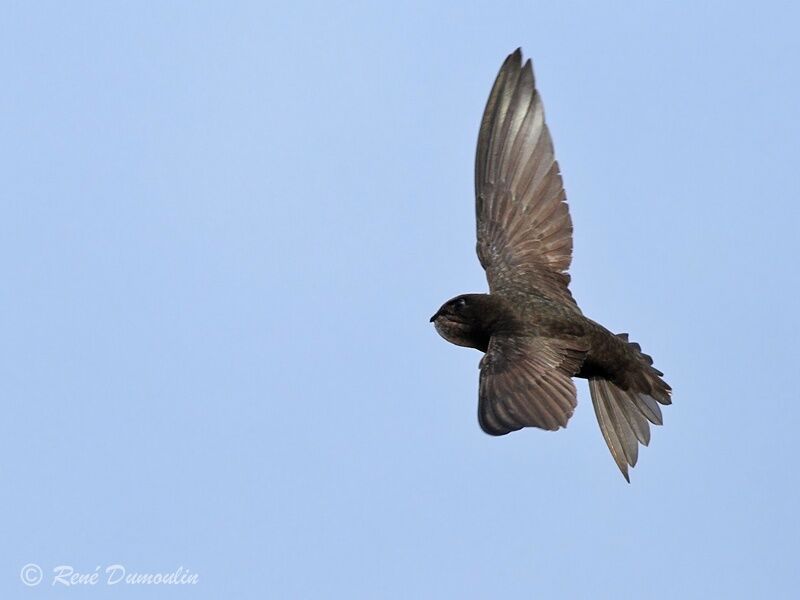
224,228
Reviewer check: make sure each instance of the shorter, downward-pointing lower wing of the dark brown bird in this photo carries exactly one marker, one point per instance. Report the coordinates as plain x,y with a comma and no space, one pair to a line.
527,382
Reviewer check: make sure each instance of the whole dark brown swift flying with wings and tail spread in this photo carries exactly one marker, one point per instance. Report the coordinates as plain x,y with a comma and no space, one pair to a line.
533,333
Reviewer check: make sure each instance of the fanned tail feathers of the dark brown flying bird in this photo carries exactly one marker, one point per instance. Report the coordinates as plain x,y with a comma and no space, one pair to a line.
625,415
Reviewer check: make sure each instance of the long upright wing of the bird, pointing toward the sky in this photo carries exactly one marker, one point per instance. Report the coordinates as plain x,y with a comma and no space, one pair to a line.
524,227
